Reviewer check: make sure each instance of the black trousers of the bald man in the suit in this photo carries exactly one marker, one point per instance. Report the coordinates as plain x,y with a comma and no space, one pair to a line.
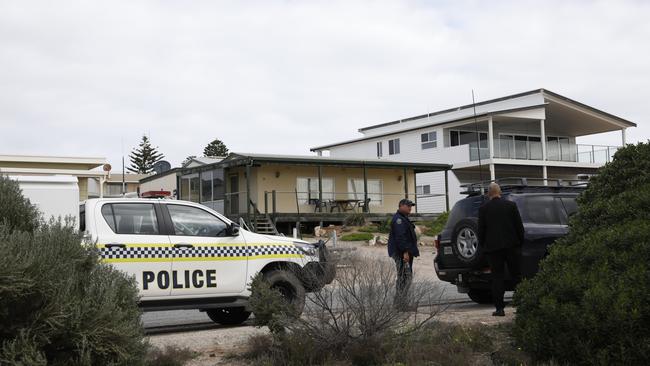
497,261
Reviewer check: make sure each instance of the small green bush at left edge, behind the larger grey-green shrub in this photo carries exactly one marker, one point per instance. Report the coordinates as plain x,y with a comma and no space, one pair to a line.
16,212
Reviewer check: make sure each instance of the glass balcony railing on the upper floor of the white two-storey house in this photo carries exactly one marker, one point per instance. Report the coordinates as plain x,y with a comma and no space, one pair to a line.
555,151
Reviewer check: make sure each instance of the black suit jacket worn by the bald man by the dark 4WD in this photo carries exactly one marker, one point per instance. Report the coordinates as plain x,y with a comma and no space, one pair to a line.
499,225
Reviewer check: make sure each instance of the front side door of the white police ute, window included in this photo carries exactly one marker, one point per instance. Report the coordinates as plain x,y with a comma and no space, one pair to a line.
207,260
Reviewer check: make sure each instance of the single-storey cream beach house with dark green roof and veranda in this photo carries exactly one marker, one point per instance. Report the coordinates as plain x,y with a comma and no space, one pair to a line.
270,191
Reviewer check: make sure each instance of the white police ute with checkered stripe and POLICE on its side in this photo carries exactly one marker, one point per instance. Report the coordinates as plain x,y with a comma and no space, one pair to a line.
184,255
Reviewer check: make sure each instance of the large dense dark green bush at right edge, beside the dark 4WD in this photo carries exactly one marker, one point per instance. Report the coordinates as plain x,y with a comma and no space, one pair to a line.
590,302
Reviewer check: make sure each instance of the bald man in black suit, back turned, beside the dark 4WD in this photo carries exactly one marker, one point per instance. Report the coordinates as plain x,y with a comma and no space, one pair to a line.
500,234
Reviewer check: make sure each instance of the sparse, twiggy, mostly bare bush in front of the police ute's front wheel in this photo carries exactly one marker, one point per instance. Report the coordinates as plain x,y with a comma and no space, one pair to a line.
355,321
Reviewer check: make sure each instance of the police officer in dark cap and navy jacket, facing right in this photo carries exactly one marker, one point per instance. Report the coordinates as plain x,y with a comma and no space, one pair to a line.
402,247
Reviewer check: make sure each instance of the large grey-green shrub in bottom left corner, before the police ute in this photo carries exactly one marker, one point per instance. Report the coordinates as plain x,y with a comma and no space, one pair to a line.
60,306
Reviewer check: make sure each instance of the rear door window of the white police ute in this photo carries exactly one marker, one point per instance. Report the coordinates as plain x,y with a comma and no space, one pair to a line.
131,218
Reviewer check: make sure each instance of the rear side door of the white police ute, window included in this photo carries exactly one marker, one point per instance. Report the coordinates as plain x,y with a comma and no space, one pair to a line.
133,241
